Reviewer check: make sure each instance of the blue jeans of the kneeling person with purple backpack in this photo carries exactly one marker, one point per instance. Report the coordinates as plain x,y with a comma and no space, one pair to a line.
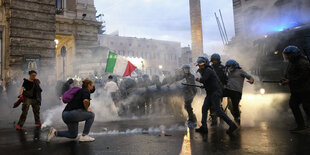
72,119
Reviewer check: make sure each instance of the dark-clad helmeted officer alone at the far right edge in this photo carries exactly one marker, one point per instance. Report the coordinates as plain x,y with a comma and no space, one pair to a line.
298,80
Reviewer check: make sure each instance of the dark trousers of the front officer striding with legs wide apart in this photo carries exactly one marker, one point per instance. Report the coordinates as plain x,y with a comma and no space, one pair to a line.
214,100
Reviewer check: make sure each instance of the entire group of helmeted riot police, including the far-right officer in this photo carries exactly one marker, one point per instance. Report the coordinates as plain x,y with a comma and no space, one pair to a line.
219,81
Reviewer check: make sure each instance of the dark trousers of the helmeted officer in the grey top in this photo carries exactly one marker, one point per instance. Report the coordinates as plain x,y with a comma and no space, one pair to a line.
235,99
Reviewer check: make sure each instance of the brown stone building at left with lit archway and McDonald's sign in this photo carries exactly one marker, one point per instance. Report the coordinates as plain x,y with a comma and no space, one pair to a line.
30,30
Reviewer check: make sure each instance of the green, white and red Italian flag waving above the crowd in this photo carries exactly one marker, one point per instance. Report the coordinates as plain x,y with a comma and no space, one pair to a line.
119,65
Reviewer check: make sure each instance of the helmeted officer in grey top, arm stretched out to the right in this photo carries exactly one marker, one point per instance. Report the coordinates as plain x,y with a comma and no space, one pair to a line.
233,90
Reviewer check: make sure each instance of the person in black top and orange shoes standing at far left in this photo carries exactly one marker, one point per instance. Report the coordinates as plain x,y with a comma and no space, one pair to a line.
32,92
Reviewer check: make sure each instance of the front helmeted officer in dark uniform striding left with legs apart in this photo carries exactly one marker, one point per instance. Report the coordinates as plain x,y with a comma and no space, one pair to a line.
214,91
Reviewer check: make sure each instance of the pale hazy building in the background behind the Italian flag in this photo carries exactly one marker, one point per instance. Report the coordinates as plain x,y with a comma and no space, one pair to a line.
151,56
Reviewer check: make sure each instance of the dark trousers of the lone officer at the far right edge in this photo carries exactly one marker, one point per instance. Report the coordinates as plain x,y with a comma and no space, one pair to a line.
295,101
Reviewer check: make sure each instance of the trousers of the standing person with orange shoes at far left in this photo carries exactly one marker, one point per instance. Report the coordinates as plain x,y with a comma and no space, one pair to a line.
25,107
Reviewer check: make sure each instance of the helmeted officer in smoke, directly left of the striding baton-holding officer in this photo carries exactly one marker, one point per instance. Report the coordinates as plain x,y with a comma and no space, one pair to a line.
189,94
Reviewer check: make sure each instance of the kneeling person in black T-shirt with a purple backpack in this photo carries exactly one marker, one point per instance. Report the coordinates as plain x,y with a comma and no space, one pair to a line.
77,110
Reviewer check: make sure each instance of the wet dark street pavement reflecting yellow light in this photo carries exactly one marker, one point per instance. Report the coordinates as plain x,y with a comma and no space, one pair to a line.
158,136
